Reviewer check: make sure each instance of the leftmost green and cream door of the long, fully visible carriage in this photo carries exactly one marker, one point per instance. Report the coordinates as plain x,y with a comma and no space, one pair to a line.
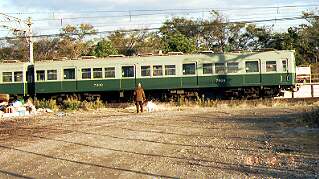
69,79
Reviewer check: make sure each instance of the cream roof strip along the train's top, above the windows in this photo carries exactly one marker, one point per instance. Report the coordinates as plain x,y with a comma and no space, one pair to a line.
215,57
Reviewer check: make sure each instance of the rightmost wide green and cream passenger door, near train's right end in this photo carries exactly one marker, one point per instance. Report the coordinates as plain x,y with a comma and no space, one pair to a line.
252,75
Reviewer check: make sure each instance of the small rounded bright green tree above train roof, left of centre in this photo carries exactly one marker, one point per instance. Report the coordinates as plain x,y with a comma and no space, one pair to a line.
104,48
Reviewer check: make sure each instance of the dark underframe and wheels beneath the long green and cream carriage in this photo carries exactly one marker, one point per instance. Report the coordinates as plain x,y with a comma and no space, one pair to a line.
173,94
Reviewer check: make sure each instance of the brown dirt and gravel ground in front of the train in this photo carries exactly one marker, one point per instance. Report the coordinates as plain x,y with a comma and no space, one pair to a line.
172,143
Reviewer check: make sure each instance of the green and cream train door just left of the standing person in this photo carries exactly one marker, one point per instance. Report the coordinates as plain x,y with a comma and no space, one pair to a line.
128,77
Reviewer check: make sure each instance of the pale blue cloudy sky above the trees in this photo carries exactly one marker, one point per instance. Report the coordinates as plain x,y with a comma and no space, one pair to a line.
49,16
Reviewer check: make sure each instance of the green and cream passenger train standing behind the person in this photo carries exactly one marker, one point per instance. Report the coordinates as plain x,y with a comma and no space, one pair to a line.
249,74
